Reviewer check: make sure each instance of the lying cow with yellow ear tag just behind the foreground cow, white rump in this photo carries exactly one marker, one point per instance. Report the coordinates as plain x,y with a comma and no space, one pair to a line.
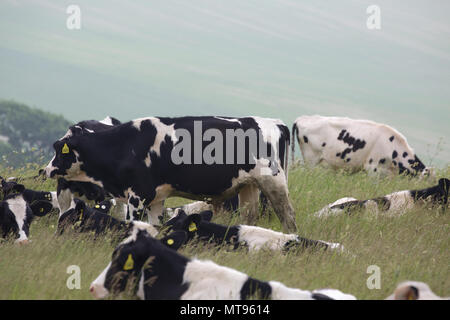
254,238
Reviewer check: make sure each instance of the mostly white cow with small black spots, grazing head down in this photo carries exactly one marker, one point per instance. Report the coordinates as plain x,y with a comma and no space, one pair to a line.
355,144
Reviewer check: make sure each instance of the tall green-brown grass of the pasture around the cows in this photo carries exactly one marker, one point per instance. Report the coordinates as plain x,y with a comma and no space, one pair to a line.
414,246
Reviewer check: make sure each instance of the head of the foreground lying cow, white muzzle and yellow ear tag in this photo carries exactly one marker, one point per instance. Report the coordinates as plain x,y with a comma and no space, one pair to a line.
128,259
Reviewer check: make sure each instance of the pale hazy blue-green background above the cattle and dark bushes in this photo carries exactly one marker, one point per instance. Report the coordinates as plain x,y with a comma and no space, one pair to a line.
277,58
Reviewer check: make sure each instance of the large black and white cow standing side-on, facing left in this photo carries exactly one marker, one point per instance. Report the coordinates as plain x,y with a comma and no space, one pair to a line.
202,158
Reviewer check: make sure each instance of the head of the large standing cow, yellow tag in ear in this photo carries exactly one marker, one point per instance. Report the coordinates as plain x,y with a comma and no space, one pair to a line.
66,162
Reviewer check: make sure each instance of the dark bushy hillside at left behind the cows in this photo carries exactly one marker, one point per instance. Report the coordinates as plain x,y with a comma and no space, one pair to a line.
27,134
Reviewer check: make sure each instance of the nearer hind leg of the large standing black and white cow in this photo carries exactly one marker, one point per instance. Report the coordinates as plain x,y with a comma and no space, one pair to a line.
275,189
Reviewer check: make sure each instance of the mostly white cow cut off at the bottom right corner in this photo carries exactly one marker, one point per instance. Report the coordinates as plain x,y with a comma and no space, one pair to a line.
414,290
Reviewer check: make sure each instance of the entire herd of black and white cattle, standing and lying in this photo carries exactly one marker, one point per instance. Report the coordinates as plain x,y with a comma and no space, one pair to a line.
128,170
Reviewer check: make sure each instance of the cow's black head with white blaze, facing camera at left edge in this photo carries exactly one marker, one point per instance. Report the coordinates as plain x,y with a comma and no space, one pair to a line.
16,213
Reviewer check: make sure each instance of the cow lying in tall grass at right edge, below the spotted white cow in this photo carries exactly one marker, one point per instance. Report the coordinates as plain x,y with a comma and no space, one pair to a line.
395,203
